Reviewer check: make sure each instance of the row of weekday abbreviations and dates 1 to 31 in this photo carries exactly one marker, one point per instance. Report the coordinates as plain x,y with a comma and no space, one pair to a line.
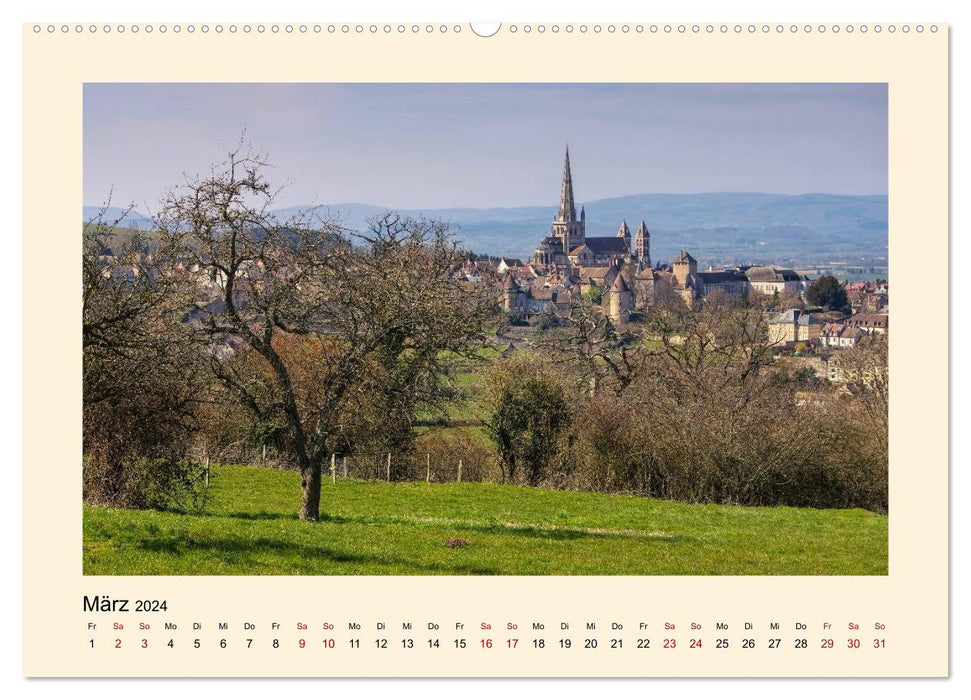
486,637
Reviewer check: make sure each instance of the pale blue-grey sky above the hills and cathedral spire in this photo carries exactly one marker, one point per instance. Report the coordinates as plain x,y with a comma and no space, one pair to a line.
484,145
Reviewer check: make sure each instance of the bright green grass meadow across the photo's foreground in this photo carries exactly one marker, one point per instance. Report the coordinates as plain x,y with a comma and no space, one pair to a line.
251,527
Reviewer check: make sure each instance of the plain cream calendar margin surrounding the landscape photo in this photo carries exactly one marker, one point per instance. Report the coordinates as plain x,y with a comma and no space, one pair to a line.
912,599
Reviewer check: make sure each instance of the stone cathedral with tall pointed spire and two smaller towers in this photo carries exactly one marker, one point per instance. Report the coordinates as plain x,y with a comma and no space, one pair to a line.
568,244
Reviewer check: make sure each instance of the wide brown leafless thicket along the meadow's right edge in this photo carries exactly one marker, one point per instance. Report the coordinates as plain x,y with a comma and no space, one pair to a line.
681,442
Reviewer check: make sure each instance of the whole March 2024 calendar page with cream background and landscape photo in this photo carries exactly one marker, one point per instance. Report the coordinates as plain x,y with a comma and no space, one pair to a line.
522,350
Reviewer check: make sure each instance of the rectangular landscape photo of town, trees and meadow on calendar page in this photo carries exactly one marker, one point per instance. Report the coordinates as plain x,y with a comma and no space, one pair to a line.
485,329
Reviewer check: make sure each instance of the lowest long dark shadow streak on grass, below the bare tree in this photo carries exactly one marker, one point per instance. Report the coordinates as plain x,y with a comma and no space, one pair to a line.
219,547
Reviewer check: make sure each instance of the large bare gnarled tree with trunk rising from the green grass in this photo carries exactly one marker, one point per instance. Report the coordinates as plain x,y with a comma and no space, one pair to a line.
336,320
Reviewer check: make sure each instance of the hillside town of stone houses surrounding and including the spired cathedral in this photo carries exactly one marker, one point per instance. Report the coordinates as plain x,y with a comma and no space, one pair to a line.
617,273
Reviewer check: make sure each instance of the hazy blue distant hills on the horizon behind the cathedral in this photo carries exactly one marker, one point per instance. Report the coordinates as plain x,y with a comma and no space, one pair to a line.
718,227
